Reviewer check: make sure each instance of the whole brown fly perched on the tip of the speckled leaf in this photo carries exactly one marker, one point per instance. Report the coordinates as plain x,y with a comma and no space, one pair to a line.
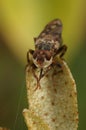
47,46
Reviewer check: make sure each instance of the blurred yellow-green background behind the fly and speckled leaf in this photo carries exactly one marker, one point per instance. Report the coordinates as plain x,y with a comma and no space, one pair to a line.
20,22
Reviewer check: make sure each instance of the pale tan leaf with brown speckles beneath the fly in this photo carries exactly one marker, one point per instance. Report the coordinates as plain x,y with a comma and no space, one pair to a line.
54,106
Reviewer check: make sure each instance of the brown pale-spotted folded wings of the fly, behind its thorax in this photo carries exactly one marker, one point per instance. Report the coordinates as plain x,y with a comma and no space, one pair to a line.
52,31
